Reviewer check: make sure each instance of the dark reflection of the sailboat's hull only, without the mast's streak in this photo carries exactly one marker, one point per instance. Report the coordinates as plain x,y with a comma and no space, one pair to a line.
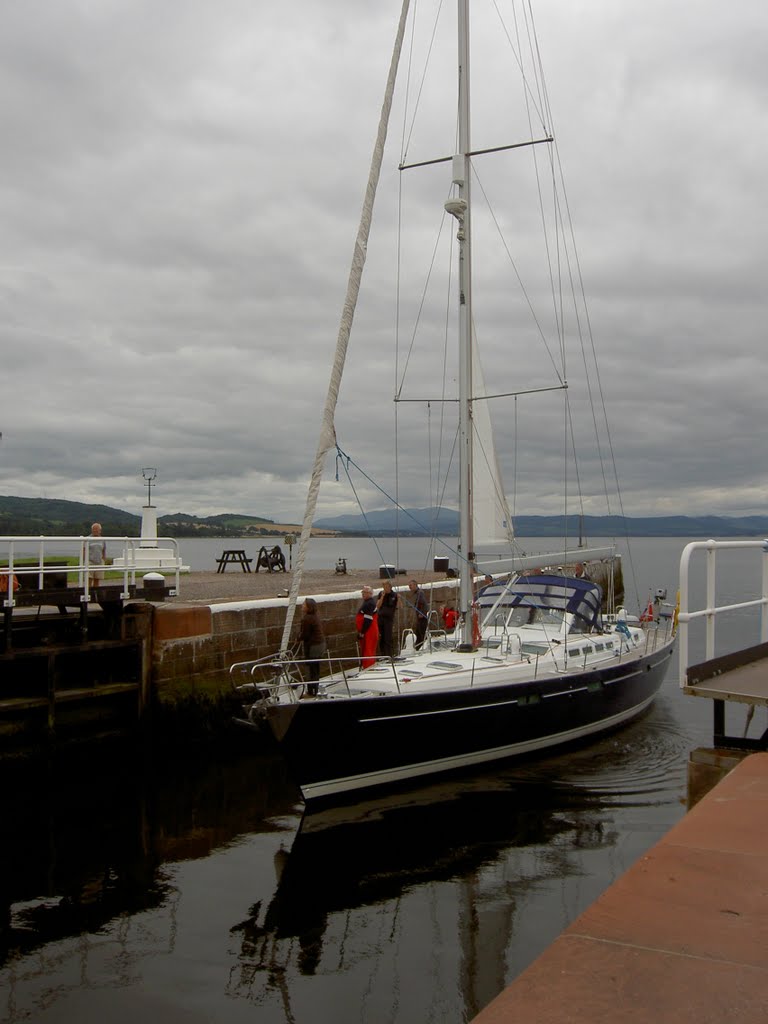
377,852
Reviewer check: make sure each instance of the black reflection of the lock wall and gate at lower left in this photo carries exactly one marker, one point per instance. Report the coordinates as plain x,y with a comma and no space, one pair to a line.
82,847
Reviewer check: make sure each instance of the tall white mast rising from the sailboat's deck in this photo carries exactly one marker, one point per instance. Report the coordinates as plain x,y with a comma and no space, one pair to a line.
460,208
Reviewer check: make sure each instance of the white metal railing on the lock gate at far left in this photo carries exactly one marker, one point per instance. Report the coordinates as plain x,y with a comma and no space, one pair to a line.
34,551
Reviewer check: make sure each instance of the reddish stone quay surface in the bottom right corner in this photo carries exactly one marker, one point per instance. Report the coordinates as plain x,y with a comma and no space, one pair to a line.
682,936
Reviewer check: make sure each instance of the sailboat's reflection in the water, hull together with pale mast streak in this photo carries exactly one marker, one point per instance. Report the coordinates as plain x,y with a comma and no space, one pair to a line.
488,844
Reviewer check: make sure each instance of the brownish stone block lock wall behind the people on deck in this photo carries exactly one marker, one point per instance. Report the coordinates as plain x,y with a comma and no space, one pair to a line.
194,647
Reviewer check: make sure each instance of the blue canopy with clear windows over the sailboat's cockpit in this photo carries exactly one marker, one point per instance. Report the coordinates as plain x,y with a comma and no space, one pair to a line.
550,592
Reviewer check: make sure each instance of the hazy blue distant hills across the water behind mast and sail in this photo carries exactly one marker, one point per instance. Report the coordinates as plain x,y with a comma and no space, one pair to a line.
420,523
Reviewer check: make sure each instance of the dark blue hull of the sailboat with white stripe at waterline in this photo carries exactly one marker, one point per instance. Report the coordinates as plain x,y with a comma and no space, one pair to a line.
337,746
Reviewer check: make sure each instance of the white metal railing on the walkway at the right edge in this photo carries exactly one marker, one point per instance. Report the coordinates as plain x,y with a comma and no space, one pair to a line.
711,611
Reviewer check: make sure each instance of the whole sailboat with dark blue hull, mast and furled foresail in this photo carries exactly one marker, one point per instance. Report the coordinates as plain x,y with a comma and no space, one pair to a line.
534,662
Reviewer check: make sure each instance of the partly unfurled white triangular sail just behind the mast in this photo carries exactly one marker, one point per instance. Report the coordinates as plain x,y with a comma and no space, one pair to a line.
493,524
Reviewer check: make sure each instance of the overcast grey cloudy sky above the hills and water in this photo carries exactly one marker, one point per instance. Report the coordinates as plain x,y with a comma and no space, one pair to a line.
180,196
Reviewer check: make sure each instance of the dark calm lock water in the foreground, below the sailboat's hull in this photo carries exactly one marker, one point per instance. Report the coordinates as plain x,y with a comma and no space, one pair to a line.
133,897
